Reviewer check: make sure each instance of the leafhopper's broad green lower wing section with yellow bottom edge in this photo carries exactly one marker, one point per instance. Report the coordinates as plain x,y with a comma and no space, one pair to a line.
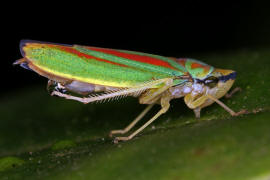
93,67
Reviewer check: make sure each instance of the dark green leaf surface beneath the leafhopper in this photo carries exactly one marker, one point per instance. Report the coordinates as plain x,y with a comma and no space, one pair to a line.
176,146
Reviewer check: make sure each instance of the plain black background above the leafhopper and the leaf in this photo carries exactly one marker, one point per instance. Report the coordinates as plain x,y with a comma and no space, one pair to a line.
178,32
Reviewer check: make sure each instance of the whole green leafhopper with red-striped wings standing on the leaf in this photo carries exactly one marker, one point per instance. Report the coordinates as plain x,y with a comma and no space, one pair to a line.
96,74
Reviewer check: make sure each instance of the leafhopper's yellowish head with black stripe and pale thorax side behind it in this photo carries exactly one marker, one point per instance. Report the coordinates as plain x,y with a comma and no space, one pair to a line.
216,84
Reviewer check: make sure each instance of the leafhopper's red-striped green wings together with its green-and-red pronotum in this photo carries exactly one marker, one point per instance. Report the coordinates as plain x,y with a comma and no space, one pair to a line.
107,67
